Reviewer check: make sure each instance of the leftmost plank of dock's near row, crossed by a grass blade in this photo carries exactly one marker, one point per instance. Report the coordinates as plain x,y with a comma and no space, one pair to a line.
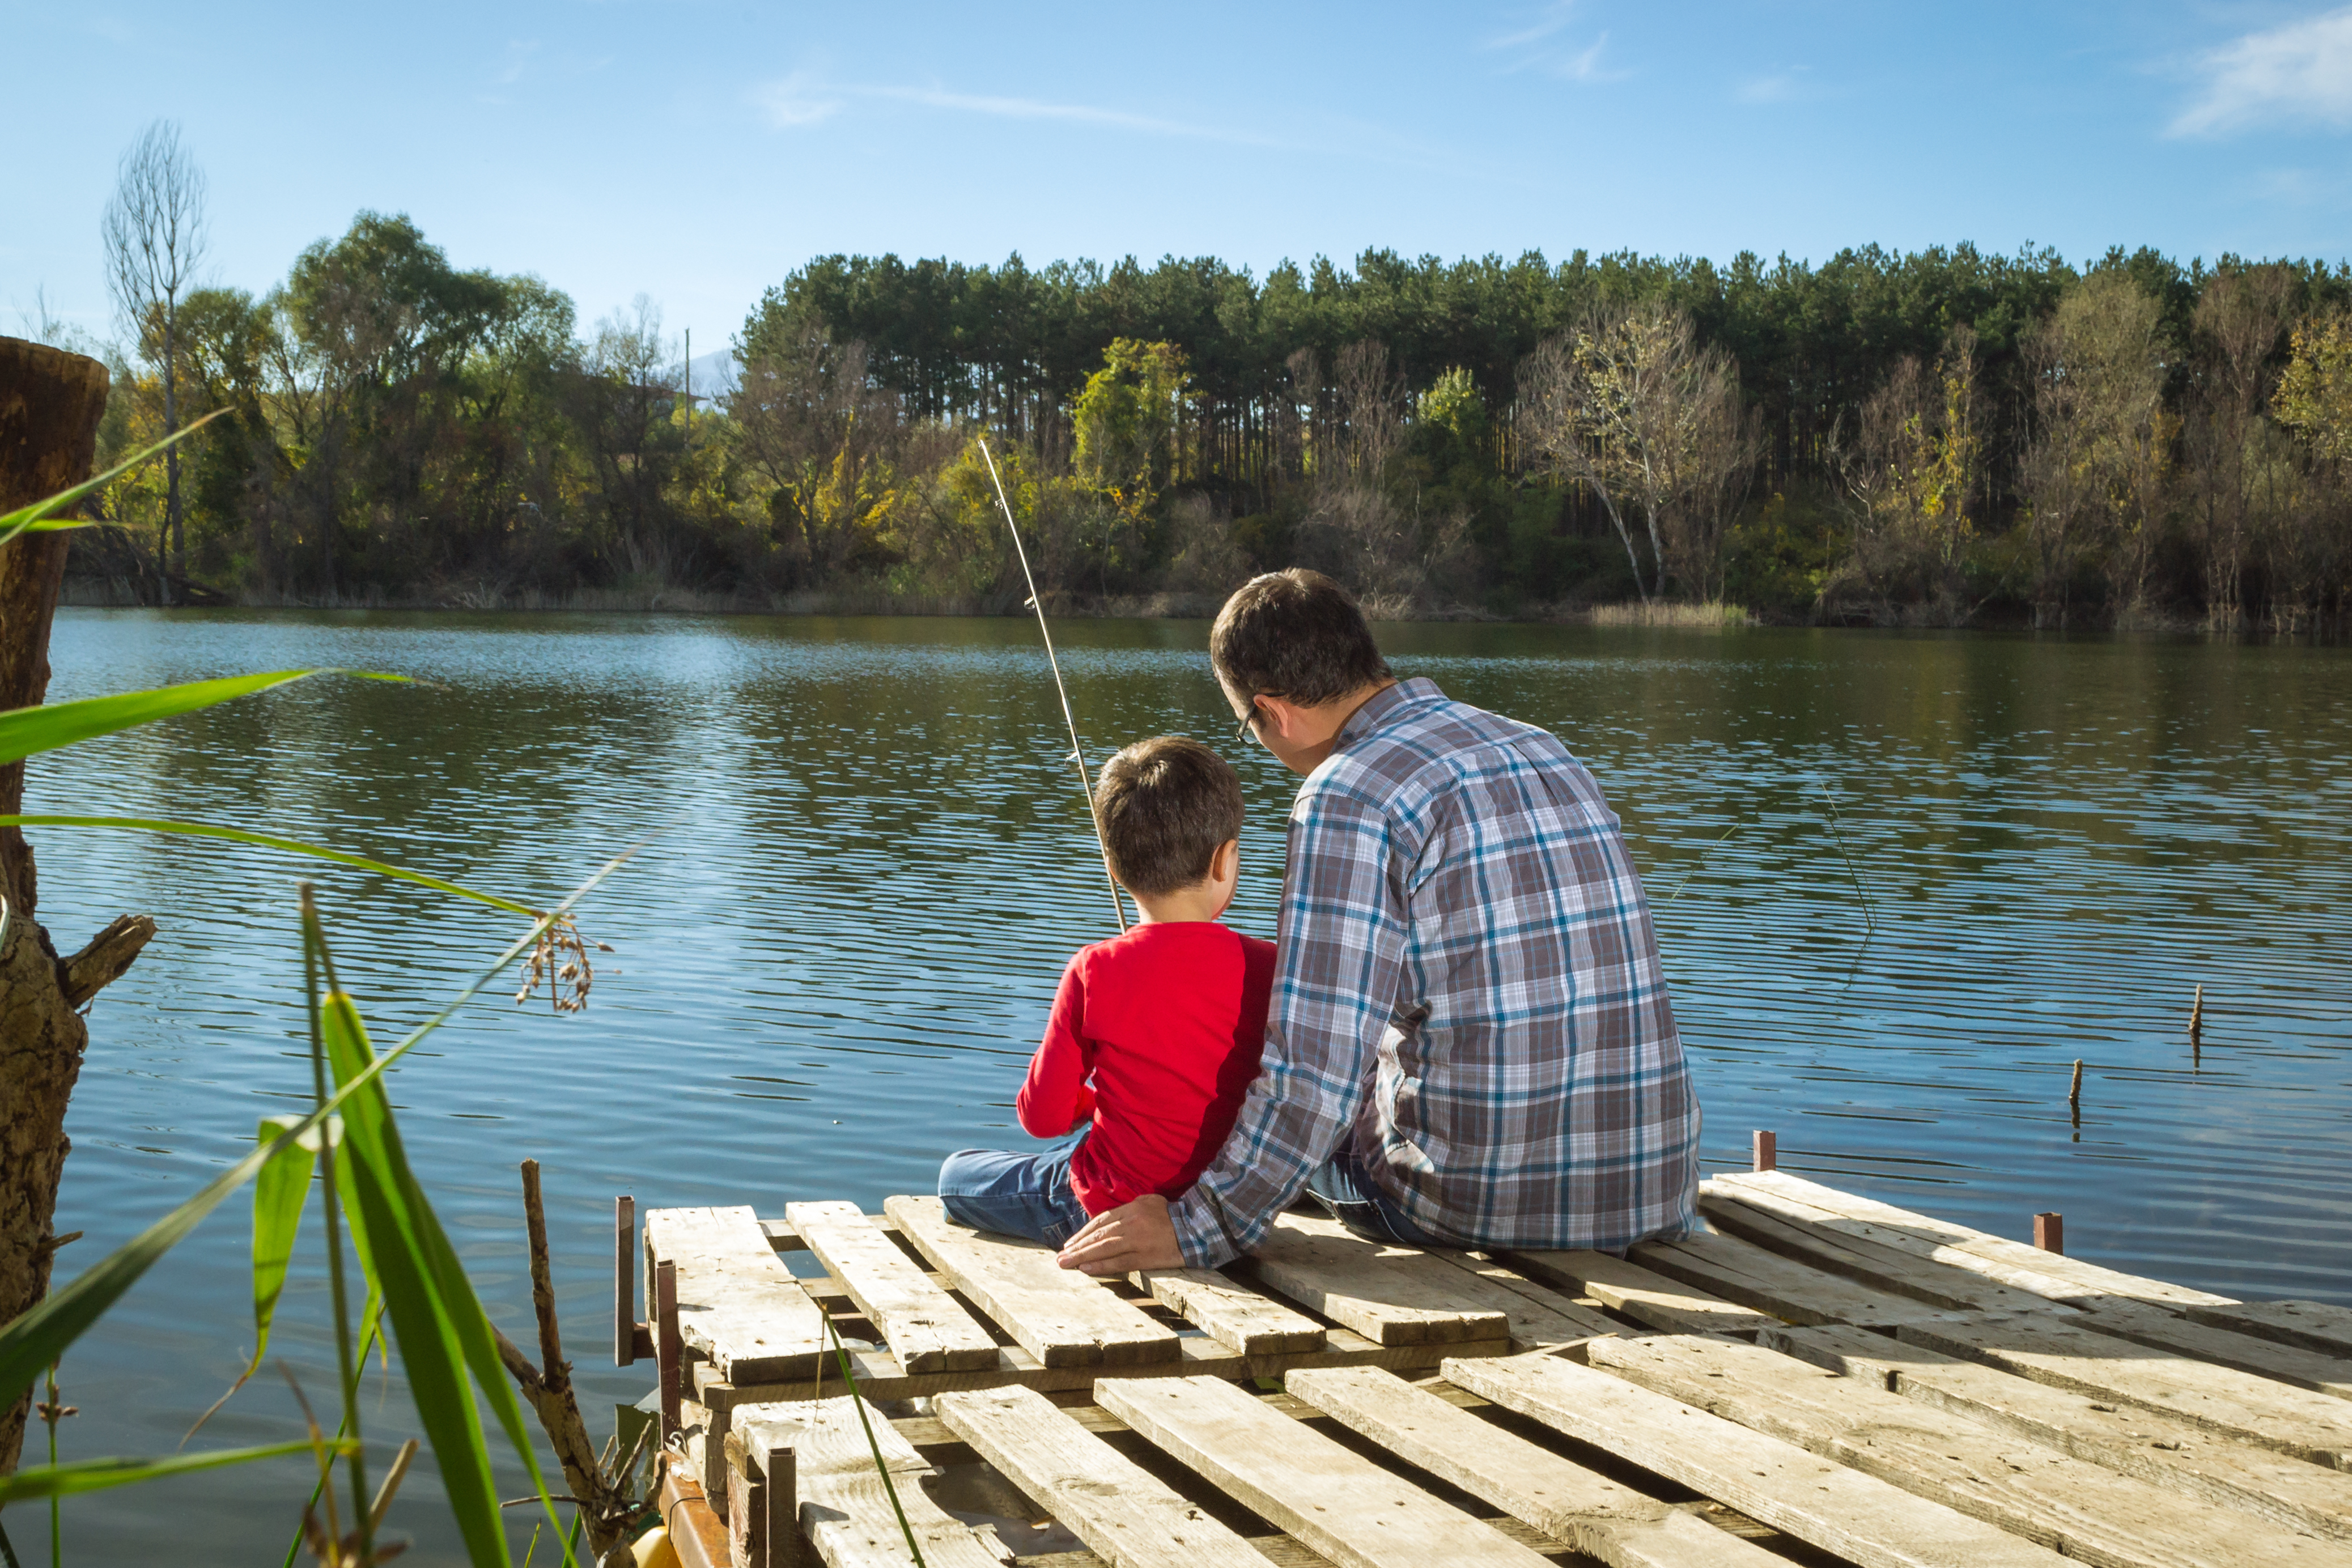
843,1503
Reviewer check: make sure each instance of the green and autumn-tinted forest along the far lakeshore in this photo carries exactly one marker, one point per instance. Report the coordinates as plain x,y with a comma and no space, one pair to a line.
1930,438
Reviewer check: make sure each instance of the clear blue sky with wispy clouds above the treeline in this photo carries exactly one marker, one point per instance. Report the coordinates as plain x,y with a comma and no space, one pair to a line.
700,149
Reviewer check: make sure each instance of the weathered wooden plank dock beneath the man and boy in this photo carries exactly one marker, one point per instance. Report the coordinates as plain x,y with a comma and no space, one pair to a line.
1819,1381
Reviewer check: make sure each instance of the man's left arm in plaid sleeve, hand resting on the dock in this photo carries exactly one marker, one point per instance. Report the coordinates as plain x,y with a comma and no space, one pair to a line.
1335,996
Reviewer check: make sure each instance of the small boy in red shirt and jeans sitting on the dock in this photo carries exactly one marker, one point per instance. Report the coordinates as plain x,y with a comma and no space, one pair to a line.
1165,1019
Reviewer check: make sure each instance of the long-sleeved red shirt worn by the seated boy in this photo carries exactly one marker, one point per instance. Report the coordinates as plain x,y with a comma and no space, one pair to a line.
1168,1021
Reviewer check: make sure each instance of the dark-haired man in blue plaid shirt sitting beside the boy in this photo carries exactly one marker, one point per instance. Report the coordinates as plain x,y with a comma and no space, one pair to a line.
1471,1040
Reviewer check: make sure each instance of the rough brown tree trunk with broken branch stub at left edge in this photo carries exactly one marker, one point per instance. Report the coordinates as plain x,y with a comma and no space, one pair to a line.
51,410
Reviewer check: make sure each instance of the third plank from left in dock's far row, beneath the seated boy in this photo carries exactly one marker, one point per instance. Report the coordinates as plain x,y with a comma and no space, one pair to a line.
1060,1315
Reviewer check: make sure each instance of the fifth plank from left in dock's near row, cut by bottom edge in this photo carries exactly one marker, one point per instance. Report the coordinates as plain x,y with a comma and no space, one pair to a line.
1829,1506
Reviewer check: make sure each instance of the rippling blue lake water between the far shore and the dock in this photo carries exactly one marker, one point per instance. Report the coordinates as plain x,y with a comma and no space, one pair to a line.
864,871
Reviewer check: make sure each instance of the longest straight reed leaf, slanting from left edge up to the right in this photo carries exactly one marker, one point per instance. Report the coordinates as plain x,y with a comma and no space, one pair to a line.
44,1332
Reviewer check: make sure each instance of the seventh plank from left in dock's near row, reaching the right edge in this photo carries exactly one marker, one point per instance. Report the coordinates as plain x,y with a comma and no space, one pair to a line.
2158,1449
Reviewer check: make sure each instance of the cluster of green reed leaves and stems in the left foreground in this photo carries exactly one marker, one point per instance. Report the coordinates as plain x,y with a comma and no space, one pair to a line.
347,1146
